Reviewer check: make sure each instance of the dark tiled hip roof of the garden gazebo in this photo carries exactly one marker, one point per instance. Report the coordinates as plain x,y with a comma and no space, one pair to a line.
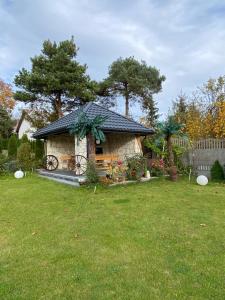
114,122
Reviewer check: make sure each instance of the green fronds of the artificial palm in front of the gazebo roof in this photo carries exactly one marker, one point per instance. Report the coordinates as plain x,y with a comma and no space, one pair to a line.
85,126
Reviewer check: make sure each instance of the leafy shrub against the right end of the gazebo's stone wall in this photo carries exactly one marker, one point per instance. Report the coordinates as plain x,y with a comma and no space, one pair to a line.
136,166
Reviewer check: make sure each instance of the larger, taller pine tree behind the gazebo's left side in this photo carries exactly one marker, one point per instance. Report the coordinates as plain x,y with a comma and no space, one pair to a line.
56,79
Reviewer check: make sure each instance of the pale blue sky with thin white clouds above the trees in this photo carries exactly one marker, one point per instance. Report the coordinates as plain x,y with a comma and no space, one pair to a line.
184,39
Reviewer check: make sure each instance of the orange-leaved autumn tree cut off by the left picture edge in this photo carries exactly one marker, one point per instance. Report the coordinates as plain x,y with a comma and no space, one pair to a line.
7,101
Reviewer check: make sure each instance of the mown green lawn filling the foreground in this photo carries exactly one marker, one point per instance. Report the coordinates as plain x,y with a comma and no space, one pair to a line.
156,240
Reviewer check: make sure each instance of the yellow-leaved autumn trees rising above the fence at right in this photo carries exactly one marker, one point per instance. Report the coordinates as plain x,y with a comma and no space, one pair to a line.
203,112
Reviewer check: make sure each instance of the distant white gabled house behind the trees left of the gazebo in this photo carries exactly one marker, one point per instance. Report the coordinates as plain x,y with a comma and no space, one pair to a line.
23,126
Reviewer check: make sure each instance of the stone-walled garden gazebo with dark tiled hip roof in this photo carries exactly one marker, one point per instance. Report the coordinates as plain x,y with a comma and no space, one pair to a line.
123,136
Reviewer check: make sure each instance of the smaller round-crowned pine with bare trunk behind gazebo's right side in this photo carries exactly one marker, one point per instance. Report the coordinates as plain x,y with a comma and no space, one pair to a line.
134,81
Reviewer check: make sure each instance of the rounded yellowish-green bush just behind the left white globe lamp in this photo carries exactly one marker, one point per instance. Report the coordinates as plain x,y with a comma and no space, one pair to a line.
24,157
